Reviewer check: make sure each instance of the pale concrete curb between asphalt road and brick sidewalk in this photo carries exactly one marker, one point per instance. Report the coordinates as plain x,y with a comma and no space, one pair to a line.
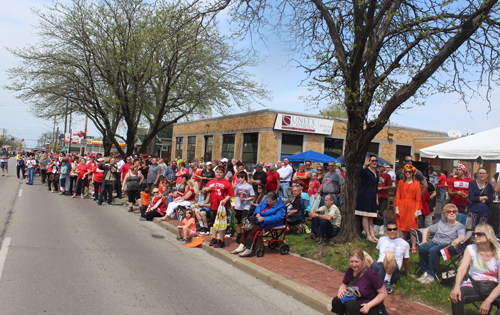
300,293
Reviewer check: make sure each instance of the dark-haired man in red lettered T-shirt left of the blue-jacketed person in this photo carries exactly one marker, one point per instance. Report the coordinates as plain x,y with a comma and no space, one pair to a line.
221,191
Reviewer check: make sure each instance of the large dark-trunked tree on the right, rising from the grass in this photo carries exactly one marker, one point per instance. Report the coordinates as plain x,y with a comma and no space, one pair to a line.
373,56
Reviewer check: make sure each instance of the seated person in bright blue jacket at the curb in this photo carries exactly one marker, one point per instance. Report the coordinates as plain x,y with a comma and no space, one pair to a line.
270,213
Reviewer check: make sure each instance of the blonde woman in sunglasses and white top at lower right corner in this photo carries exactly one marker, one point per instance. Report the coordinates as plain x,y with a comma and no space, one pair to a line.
483,259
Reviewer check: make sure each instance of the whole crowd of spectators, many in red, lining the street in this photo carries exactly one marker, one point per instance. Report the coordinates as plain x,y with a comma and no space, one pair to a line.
199,190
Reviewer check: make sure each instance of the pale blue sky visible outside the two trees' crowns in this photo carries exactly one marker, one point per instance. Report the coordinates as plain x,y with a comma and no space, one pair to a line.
441,113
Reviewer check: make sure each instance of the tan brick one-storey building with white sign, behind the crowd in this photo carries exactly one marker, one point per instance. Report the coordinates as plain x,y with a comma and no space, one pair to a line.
267,135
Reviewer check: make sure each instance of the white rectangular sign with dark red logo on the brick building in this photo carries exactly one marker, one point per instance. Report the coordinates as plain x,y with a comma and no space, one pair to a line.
303,124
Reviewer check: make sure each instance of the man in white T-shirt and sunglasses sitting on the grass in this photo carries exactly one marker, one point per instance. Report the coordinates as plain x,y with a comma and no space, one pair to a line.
394,252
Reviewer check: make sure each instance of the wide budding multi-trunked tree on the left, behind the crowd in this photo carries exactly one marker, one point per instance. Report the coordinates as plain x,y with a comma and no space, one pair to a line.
132,61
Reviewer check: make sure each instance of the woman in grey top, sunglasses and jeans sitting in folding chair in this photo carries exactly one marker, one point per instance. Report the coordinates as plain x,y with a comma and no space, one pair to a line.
446,232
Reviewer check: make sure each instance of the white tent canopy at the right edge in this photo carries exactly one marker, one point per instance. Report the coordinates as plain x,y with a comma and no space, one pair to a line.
484,145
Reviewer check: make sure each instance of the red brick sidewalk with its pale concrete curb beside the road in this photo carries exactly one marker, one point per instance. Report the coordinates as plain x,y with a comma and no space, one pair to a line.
310,282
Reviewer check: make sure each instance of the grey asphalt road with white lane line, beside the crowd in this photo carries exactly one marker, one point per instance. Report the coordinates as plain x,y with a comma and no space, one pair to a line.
70,256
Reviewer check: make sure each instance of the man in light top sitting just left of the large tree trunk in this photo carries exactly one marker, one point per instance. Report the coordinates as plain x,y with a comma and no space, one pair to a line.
325,221
